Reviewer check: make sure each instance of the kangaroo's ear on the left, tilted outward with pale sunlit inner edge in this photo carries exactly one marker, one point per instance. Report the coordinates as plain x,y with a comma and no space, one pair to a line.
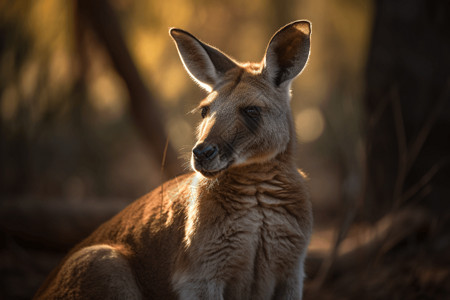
205,64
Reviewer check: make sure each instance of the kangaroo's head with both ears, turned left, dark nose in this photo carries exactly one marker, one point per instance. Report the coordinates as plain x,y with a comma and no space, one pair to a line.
246,115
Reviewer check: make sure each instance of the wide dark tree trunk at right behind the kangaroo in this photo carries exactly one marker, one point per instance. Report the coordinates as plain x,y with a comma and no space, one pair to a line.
407,101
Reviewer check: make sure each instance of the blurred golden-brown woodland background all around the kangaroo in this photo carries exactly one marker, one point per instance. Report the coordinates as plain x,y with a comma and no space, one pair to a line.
94,112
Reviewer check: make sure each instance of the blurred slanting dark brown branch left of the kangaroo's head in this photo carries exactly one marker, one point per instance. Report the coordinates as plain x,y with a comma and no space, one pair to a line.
144,108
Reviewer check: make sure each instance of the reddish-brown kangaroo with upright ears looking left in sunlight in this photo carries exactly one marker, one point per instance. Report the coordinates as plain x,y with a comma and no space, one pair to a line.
238,226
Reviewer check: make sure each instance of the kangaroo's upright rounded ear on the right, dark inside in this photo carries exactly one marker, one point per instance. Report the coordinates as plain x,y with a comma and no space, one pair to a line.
287,52
